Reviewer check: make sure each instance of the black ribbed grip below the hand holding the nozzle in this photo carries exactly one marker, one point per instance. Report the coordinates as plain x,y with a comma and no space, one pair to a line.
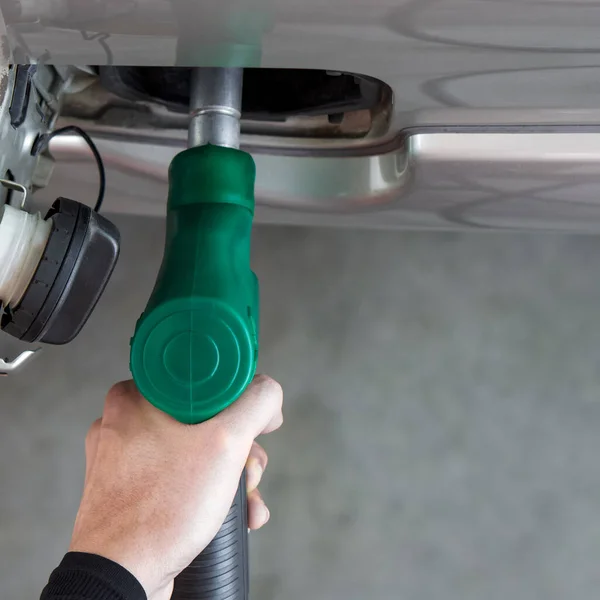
221,571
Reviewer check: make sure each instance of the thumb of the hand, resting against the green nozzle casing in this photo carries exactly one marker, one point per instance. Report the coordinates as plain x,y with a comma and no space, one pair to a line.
257,411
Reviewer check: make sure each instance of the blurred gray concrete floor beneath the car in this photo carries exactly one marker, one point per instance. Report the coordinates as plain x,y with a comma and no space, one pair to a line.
443,417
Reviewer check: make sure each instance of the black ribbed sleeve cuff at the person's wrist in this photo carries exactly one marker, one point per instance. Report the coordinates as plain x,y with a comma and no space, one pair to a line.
83,576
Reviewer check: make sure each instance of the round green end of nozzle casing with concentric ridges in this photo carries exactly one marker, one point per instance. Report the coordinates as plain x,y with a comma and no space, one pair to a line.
192,357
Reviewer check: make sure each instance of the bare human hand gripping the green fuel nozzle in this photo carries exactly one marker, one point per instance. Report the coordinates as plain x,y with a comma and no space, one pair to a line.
157,491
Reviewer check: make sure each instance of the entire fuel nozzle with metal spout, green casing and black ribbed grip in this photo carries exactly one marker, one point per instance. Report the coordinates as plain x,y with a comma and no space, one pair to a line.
195,347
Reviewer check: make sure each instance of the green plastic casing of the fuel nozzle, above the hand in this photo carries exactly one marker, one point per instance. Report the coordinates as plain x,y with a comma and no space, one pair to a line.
195,347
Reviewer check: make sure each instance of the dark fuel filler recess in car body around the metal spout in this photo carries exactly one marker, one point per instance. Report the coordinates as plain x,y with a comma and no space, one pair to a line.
305,103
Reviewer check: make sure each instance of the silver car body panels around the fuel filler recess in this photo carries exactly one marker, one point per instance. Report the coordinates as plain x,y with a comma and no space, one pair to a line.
494,124
